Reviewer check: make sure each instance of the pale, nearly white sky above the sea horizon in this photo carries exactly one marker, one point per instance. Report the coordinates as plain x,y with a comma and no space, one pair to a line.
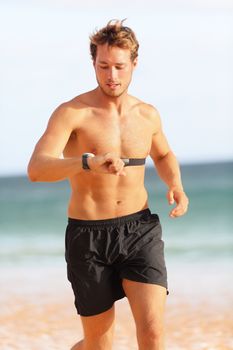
185,70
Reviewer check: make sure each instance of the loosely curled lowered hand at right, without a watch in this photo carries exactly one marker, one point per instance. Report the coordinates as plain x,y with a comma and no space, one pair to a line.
181,200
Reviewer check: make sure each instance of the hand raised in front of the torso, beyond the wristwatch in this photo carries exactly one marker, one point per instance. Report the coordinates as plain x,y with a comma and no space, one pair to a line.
109,163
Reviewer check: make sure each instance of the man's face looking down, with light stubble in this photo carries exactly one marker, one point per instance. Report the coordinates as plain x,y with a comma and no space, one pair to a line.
114,69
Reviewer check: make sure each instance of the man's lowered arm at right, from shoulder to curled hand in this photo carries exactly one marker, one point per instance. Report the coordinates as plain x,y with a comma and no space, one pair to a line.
168,168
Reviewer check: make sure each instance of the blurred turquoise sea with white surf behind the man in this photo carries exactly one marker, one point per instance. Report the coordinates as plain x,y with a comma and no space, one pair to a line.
33,217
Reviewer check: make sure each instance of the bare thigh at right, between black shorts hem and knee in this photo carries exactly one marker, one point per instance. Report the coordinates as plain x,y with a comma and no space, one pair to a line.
147,302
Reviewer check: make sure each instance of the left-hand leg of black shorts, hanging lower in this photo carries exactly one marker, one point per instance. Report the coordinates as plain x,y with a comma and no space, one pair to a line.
95,283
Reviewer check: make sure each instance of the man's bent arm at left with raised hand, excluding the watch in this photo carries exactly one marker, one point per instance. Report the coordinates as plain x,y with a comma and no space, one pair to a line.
45,164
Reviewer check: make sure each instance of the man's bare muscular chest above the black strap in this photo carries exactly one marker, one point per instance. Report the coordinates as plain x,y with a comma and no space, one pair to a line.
128,137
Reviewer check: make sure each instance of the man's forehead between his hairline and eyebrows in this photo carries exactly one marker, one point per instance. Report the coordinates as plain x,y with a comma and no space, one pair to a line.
112,54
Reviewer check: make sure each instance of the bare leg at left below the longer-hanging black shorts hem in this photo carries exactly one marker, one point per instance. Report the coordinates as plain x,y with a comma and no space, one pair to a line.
98,331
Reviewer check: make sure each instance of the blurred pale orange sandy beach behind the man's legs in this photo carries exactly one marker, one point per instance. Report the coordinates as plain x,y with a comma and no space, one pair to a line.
37,312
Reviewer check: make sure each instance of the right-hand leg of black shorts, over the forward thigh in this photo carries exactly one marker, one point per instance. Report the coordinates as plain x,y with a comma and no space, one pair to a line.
144,258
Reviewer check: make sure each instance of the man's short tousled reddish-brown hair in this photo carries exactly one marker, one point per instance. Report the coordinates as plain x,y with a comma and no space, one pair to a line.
114,34
